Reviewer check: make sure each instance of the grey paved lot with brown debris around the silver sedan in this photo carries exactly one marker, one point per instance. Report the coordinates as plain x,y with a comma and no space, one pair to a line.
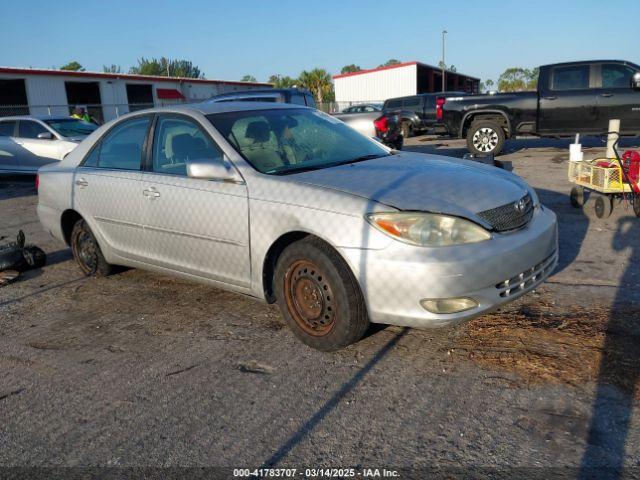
140,369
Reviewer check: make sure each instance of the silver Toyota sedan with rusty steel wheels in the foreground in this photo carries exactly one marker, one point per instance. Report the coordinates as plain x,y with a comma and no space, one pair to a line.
290,205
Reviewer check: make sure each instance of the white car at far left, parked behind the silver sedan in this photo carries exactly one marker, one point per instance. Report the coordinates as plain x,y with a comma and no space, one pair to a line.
27,143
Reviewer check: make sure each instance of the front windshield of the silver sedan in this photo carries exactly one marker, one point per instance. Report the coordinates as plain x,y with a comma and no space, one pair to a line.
282,141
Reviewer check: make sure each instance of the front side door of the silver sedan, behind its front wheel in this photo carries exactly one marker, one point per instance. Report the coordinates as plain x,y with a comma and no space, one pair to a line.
195,226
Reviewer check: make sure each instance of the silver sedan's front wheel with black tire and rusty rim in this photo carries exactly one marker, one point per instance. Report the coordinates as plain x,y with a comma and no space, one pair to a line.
319,297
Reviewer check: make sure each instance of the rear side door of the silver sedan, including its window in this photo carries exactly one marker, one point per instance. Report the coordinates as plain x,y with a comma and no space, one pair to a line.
107,188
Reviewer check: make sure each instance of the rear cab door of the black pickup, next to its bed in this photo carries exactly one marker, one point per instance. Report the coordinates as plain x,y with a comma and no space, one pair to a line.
568,104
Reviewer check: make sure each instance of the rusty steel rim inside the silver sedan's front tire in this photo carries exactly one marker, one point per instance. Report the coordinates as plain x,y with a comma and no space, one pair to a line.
310,298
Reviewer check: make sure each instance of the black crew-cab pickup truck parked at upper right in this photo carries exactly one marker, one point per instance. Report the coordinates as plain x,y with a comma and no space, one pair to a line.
576,97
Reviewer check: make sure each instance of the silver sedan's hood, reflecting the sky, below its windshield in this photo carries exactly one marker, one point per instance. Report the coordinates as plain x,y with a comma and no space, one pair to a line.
414,181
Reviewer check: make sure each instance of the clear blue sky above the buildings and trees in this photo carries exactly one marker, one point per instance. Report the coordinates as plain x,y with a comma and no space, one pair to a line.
228,39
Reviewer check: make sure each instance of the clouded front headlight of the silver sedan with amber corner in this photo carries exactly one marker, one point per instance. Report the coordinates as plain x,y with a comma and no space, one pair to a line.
428,229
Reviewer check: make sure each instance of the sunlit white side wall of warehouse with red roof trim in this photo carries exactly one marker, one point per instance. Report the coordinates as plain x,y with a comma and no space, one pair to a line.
377,85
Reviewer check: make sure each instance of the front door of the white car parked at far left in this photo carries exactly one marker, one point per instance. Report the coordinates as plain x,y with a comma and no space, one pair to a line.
36,152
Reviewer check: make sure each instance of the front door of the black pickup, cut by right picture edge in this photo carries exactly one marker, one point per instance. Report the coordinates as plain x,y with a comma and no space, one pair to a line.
616,98
